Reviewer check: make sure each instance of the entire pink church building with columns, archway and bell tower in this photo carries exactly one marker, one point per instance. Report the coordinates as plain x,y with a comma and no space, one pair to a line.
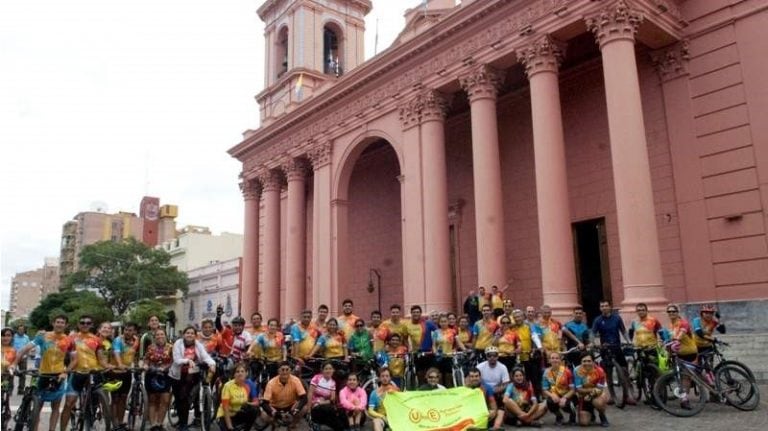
568,150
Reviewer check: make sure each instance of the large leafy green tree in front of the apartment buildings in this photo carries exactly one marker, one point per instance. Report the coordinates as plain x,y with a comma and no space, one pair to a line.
125,272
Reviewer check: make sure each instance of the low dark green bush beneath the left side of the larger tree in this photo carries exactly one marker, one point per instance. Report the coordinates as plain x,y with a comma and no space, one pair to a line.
73,304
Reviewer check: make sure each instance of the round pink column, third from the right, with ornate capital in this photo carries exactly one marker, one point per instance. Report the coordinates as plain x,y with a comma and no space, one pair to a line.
481,85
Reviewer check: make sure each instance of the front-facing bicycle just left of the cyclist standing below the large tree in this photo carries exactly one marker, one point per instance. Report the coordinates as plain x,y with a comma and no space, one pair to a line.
92,411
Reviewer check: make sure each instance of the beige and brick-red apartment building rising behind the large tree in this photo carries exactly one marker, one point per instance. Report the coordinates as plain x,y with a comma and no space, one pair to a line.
154,225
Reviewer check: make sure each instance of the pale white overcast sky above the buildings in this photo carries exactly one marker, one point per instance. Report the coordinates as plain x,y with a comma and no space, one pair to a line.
105,101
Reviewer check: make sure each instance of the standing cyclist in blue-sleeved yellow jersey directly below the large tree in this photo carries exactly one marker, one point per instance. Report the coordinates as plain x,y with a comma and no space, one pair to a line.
125,349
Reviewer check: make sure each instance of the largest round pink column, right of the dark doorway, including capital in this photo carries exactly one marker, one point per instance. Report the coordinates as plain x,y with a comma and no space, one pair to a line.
615,29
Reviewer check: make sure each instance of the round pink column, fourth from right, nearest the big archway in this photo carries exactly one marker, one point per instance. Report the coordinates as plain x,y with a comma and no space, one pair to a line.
437,265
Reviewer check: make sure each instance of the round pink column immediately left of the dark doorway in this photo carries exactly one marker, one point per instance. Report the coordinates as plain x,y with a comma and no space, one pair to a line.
558,272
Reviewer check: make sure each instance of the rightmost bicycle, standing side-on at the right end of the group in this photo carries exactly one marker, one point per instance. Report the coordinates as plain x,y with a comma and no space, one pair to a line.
685,389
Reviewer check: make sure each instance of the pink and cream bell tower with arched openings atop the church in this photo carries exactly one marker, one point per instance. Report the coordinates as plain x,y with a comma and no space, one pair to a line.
310,44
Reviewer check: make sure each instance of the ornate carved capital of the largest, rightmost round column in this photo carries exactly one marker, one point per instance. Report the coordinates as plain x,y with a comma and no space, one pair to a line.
615,22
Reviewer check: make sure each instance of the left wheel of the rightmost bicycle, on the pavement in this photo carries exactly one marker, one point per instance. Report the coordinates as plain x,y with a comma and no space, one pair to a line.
668,392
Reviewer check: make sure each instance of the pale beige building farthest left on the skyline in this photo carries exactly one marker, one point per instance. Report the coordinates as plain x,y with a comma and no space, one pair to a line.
30,287
